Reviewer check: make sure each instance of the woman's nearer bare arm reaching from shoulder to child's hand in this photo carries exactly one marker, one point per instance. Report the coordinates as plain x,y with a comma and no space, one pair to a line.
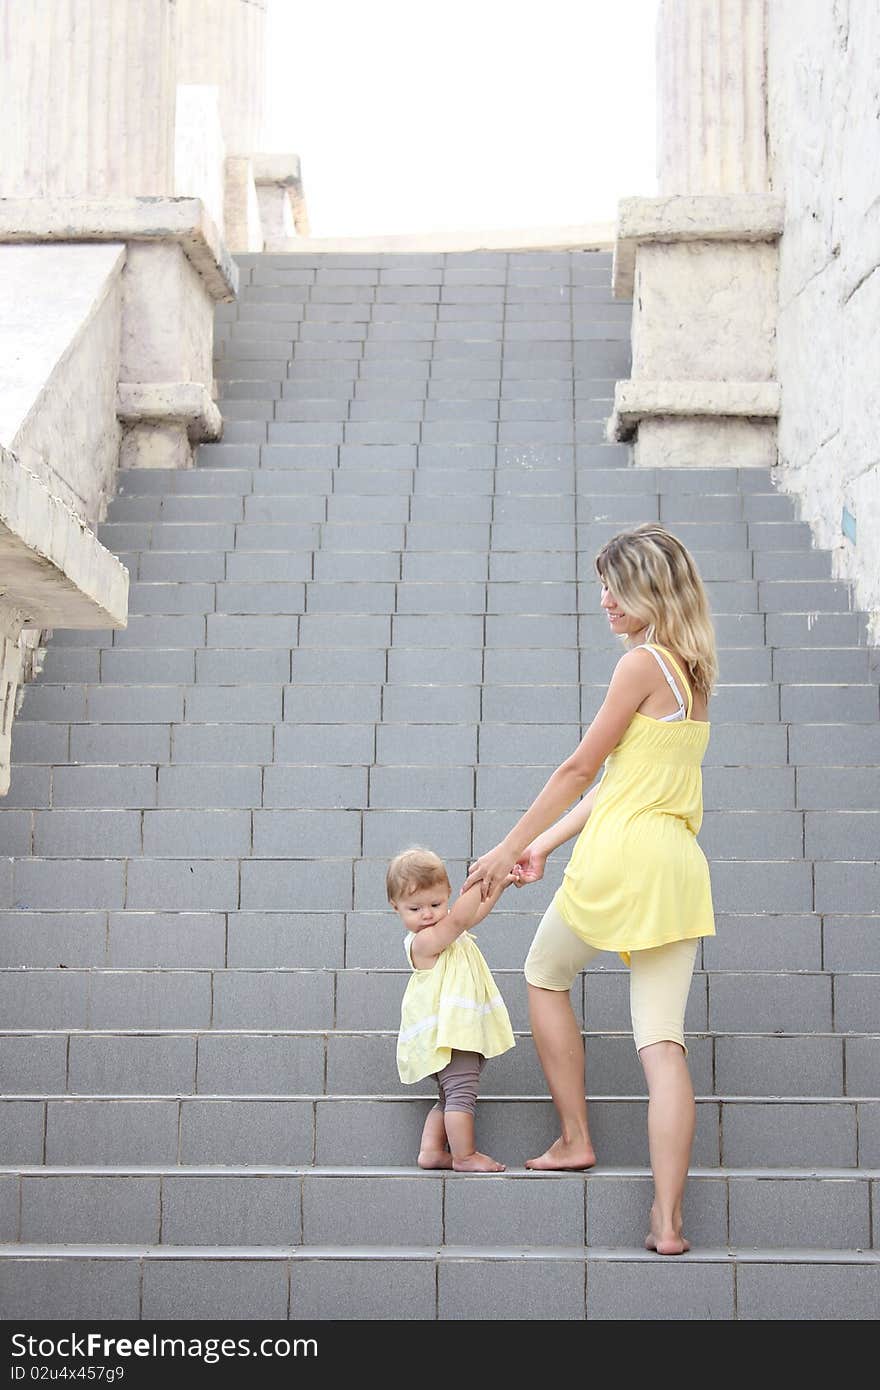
629,687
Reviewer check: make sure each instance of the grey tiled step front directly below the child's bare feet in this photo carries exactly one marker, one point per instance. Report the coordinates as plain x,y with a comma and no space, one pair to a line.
364,1207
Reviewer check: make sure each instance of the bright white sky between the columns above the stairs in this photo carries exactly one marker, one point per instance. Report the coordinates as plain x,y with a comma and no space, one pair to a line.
419,116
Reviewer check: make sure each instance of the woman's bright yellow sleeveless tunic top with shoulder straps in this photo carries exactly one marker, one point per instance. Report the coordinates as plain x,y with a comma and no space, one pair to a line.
637,878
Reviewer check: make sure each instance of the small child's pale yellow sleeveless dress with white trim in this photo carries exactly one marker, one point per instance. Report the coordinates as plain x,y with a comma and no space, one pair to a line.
454,1004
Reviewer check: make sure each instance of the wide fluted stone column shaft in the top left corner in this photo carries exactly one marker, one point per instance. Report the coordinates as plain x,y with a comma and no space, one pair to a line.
87,101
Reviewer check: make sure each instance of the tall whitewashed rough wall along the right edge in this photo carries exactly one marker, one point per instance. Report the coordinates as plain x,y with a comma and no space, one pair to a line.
824,88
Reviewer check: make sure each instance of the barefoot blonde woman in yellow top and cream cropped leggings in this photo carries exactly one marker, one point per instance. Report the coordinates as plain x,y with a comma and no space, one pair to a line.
637,881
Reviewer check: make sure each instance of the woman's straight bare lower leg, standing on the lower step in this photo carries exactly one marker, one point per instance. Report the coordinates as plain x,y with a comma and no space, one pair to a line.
672,1118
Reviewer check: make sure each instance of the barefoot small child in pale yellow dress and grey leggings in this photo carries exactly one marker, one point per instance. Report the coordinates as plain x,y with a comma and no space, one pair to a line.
453,1015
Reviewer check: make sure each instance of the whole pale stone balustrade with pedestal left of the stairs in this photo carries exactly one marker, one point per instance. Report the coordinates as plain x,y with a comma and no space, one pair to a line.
106,329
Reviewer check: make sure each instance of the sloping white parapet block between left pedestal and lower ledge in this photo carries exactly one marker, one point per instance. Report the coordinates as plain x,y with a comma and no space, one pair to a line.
60,312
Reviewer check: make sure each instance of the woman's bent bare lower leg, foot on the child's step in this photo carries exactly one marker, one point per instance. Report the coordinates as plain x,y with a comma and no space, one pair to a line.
561,1052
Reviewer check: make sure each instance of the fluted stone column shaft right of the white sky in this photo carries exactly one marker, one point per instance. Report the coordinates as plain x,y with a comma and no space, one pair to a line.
712,97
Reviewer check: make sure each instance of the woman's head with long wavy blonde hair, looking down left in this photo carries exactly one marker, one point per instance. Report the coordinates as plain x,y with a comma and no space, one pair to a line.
654,578
